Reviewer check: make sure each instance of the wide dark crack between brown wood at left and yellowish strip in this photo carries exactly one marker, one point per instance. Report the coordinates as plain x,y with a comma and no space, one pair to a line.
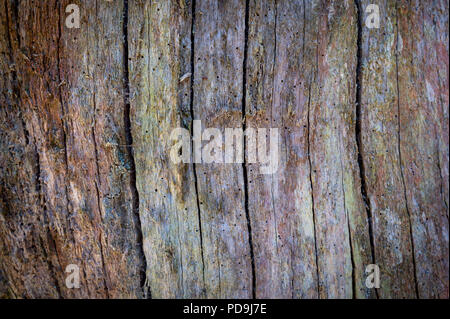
146,289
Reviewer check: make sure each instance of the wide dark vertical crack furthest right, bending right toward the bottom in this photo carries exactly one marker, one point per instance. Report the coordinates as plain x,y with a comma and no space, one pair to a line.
362,174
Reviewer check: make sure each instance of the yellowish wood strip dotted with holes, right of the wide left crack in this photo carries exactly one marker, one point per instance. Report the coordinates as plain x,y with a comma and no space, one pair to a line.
159,39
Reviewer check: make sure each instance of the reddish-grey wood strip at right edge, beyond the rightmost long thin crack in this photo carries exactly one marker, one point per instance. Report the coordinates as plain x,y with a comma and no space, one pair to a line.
423,141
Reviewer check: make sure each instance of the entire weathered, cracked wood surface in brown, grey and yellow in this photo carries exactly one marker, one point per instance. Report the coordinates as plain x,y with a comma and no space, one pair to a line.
86,175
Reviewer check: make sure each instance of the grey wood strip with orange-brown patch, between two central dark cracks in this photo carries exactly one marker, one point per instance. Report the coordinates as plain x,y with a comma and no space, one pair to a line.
219,33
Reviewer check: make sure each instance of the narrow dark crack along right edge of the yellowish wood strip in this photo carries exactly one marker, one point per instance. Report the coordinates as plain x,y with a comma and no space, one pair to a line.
194,169
